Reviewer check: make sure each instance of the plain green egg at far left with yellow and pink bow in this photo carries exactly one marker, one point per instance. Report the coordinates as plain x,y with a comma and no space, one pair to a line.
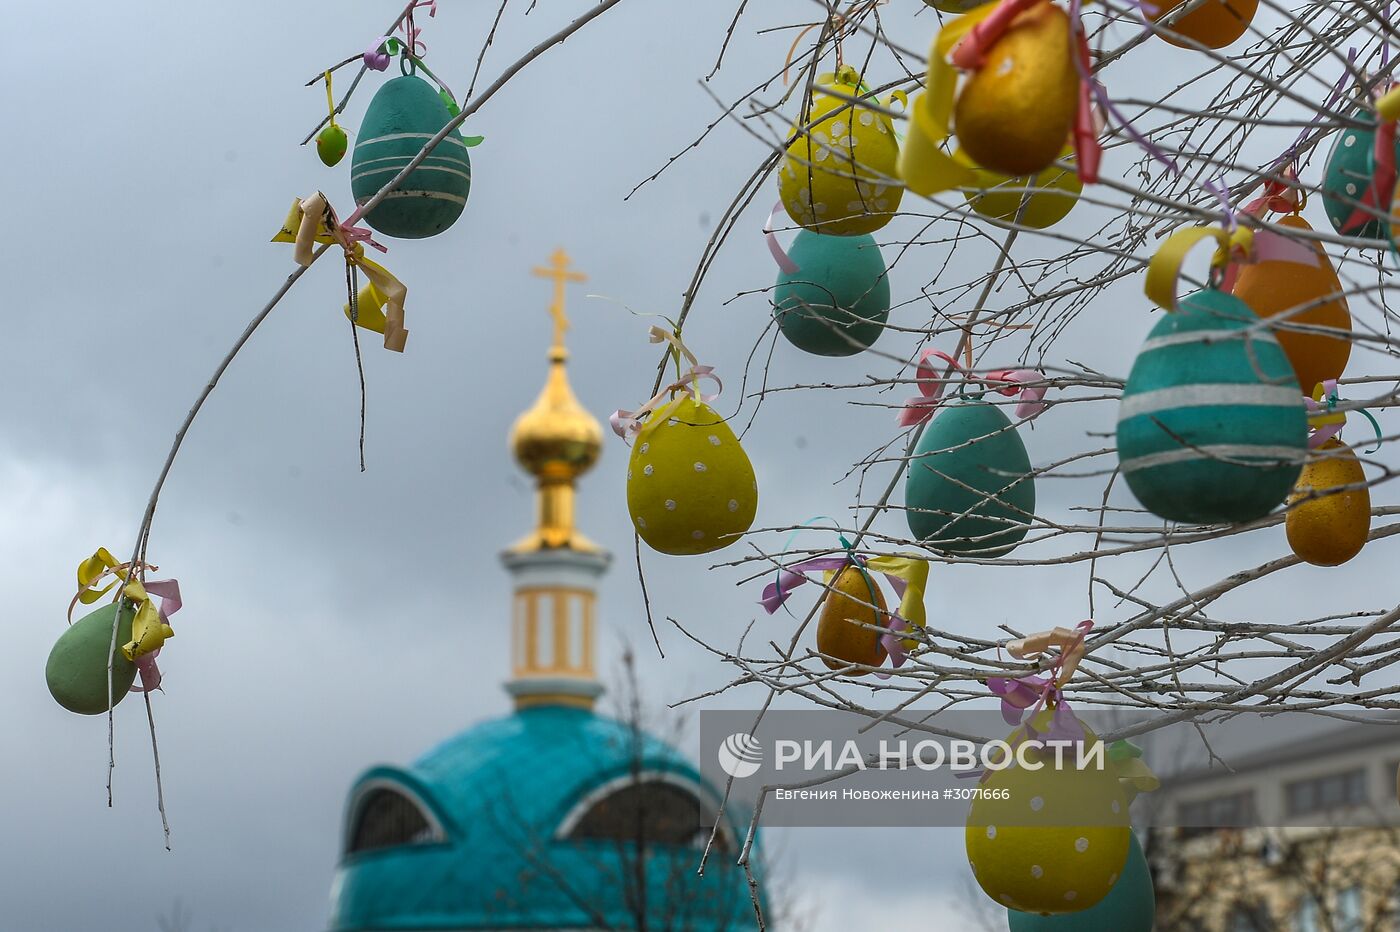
78,664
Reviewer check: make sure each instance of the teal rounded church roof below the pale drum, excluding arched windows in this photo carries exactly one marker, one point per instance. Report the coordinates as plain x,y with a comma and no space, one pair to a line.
496,852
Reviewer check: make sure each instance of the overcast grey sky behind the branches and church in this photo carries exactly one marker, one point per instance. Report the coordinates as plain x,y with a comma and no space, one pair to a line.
335,619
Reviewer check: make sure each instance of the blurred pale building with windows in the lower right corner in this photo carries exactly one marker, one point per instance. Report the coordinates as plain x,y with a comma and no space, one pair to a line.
1314,845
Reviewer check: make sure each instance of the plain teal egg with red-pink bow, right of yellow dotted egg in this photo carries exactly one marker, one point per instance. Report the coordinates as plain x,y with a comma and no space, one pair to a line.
969,489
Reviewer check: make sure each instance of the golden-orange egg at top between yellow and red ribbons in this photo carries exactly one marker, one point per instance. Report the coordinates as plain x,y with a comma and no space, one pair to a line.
1016,113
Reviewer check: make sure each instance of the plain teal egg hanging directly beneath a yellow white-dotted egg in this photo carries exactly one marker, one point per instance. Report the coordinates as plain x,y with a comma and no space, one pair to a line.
838,302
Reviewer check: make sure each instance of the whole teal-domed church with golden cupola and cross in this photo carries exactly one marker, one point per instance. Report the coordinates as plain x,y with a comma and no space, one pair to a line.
554,817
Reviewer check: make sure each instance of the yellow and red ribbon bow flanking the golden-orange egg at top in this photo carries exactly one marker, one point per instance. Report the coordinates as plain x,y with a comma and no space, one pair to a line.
964,44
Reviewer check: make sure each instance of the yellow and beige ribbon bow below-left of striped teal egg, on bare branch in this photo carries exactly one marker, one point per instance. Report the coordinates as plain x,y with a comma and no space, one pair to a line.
380,303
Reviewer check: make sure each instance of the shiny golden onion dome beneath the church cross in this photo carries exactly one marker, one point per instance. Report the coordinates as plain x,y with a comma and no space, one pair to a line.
556,439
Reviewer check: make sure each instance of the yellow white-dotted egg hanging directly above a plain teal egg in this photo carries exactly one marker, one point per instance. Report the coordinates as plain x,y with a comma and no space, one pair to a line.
839,177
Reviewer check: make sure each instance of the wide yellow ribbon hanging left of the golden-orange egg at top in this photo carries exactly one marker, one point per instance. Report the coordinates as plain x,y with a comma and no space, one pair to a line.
923,163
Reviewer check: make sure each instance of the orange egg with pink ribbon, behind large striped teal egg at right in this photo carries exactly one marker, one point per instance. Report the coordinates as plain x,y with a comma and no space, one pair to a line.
1275,289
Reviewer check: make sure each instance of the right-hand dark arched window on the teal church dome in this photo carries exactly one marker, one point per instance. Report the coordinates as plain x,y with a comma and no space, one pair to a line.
660,810
